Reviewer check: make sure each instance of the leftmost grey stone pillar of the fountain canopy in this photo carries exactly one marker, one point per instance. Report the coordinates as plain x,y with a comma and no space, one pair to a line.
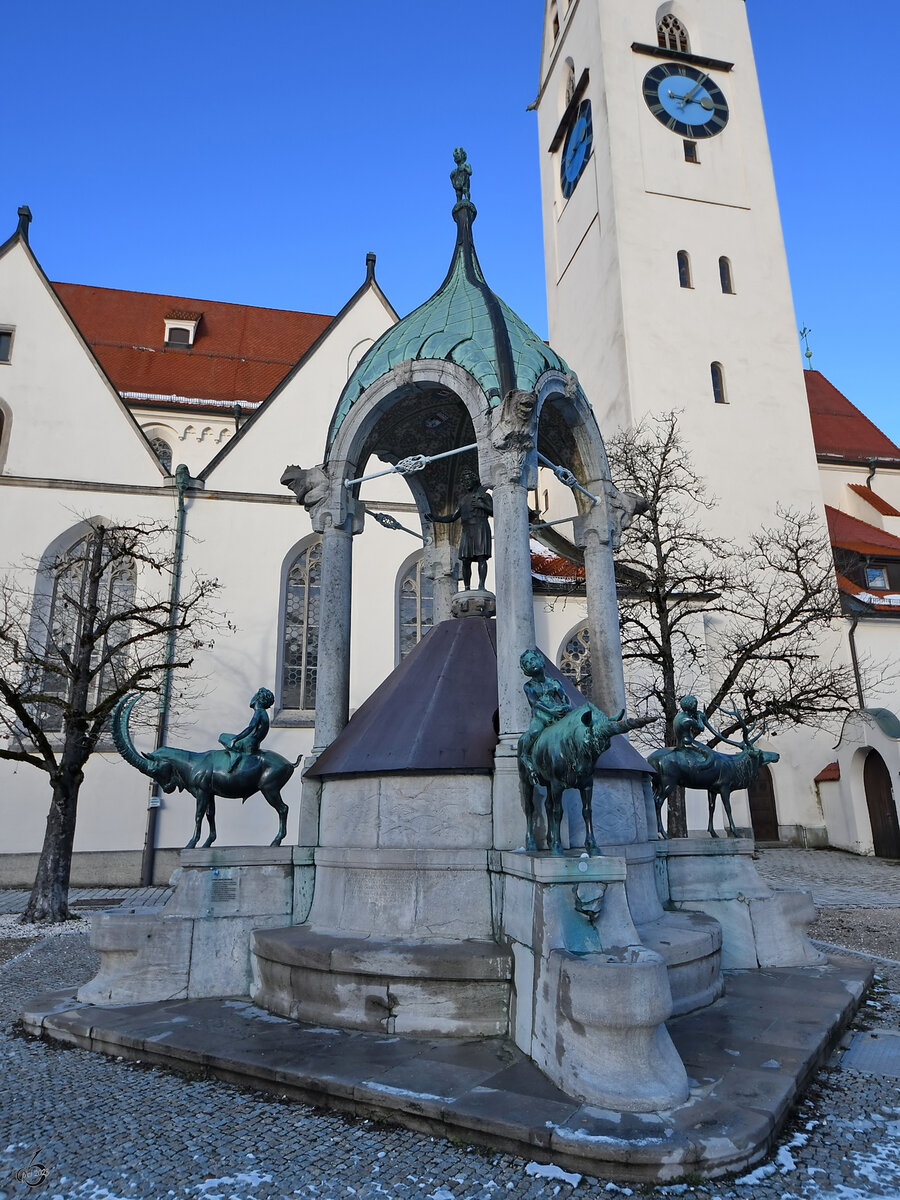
333,679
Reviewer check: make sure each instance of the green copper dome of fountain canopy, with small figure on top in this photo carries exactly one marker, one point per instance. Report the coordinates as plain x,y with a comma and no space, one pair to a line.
465,323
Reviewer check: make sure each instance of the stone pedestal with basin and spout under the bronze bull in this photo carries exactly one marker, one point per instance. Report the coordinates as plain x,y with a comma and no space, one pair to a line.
591,1000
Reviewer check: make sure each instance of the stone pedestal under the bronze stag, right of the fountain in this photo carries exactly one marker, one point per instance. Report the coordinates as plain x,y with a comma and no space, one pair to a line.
761,927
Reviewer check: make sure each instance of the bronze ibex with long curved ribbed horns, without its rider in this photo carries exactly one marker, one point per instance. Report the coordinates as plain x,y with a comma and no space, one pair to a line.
207,775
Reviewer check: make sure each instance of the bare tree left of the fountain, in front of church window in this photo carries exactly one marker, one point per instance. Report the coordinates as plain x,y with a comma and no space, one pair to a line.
103,621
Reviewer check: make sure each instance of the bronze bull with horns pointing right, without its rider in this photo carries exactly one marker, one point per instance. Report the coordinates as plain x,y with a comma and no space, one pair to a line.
563,755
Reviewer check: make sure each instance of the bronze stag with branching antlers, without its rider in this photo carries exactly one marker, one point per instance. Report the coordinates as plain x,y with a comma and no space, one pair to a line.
718,775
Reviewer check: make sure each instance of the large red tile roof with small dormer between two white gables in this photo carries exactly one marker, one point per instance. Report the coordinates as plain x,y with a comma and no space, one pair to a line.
241,352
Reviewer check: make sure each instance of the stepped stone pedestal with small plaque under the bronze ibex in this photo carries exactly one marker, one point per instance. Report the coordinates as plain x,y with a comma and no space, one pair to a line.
200,944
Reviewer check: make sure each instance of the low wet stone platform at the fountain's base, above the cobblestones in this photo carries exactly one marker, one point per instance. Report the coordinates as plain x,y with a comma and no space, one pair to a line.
748,1057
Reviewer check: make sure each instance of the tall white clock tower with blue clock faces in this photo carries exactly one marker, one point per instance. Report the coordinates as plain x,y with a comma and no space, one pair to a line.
667,275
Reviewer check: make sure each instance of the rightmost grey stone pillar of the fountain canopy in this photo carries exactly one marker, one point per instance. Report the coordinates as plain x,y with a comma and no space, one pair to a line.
595,537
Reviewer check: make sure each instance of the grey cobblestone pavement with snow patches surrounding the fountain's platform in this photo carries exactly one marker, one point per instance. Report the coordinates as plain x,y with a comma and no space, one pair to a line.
115,1131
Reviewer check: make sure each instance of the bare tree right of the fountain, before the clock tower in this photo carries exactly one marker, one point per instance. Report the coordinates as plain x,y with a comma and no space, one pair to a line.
748,626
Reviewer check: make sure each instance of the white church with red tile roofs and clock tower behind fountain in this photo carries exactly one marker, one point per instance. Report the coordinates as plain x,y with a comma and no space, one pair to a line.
668,289
